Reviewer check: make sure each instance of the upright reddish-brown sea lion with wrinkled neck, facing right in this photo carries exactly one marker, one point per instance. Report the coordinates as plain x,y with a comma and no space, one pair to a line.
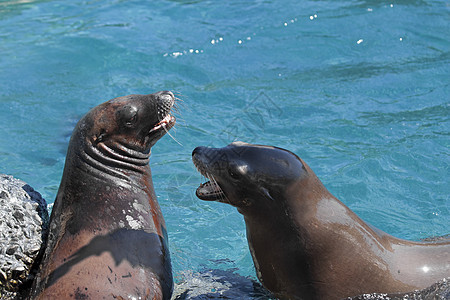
107,235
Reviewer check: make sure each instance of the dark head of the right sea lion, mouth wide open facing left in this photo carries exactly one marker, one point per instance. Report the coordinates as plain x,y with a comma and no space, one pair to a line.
245,175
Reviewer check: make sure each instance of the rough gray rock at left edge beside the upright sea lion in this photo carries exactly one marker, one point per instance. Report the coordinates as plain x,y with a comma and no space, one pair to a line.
23,231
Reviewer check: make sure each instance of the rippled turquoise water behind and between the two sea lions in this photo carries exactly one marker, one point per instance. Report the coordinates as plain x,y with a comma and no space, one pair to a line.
359,89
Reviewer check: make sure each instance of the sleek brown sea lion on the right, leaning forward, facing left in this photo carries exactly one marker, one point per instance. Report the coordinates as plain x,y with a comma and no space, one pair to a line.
305,243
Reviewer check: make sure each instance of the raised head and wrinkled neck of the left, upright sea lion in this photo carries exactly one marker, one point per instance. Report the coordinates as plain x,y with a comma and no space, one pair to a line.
118,135
